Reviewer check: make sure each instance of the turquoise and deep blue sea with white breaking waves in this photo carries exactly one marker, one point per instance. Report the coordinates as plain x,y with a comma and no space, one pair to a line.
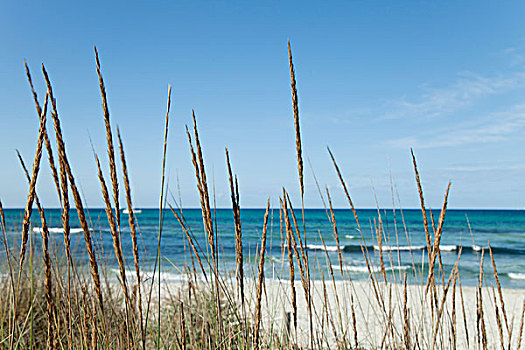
504,229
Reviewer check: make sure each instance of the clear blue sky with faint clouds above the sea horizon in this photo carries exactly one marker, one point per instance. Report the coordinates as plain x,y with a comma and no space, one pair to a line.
374,79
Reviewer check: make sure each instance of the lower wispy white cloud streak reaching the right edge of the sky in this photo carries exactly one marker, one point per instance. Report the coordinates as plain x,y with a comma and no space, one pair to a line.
495,127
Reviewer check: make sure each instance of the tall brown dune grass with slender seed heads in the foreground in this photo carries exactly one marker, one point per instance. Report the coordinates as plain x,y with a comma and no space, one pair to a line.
57,302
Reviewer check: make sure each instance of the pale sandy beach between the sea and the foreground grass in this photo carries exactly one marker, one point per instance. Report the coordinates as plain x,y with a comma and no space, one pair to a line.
379,314
